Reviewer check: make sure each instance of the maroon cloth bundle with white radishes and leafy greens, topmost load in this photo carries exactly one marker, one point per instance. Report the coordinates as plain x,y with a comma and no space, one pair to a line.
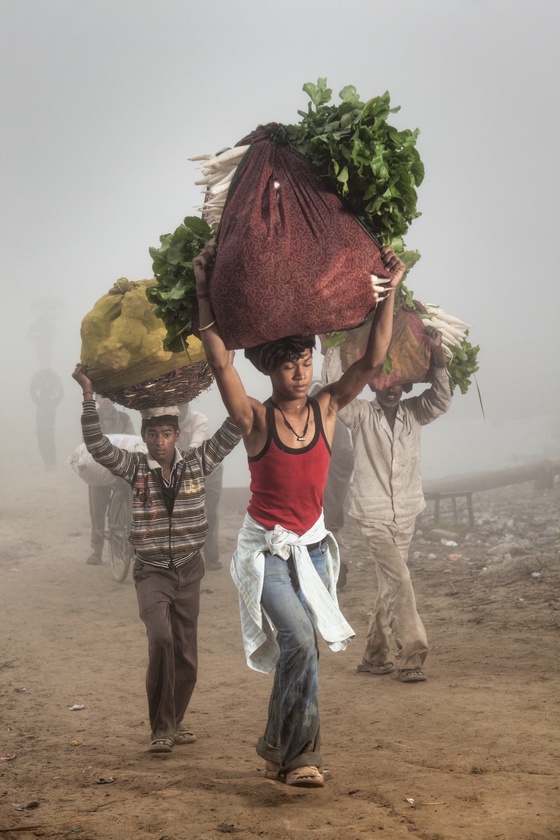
299,212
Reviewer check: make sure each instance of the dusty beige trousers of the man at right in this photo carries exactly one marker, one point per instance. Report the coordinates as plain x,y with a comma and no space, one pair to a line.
395,604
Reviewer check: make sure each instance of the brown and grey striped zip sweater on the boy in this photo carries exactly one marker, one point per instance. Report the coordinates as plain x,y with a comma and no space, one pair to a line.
157,538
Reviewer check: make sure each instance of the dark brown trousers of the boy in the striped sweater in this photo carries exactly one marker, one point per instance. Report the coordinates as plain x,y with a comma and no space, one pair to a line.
168,602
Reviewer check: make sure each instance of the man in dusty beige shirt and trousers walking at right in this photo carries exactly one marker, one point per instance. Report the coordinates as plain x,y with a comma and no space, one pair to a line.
386,499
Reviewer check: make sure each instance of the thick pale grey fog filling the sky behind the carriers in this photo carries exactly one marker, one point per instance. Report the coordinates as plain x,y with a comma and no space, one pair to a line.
105,101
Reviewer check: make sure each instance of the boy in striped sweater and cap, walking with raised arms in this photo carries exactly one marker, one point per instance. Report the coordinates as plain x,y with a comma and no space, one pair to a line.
167,532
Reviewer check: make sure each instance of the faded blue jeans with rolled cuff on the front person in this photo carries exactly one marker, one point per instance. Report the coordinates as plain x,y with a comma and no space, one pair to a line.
292,737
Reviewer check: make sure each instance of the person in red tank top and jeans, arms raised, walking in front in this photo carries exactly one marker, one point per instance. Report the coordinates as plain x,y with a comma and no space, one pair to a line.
286,562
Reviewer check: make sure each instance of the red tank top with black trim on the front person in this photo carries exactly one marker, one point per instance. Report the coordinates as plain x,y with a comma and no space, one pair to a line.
287,485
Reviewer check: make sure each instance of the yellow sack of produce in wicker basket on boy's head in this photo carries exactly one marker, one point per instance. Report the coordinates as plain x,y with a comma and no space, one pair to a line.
122,346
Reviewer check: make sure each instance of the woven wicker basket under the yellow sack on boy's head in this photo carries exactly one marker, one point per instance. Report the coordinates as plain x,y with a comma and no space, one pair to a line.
174,388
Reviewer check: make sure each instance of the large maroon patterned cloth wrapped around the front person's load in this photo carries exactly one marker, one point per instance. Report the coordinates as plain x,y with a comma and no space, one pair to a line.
291,259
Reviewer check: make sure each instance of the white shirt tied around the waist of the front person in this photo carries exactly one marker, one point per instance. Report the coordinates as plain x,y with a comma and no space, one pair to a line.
247,571
